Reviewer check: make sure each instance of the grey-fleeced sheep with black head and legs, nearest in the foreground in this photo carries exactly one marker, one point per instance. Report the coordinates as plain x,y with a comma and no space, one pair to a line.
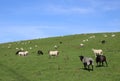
87,62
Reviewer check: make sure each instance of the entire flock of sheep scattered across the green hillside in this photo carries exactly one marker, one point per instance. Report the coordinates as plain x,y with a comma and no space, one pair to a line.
87,61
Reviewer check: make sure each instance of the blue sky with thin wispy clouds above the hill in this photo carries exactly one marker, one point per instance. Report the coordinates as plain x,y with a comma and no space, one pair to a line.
32,19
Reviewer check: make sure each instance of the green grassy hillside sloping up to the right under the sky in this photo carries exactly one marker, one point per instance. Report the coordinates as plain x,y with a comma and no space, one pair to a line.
65,67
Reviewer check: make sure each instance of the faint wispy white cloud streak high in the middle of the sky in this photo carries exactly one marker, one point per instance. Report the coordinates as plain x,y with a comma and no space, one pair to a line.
59,9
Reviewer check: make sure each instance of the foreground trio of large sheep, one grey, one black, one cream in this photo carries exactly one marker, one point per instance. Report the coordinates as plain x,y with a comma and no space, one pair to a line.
99,57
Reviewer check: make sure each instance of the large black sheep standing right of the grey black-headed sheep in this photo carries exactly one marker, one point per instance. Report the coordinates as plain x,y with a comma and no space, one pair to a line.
100,59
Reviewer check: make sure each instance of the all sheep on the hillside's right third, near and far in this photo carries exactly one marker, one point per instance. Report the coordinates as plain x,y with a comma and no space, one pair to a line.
99,57
